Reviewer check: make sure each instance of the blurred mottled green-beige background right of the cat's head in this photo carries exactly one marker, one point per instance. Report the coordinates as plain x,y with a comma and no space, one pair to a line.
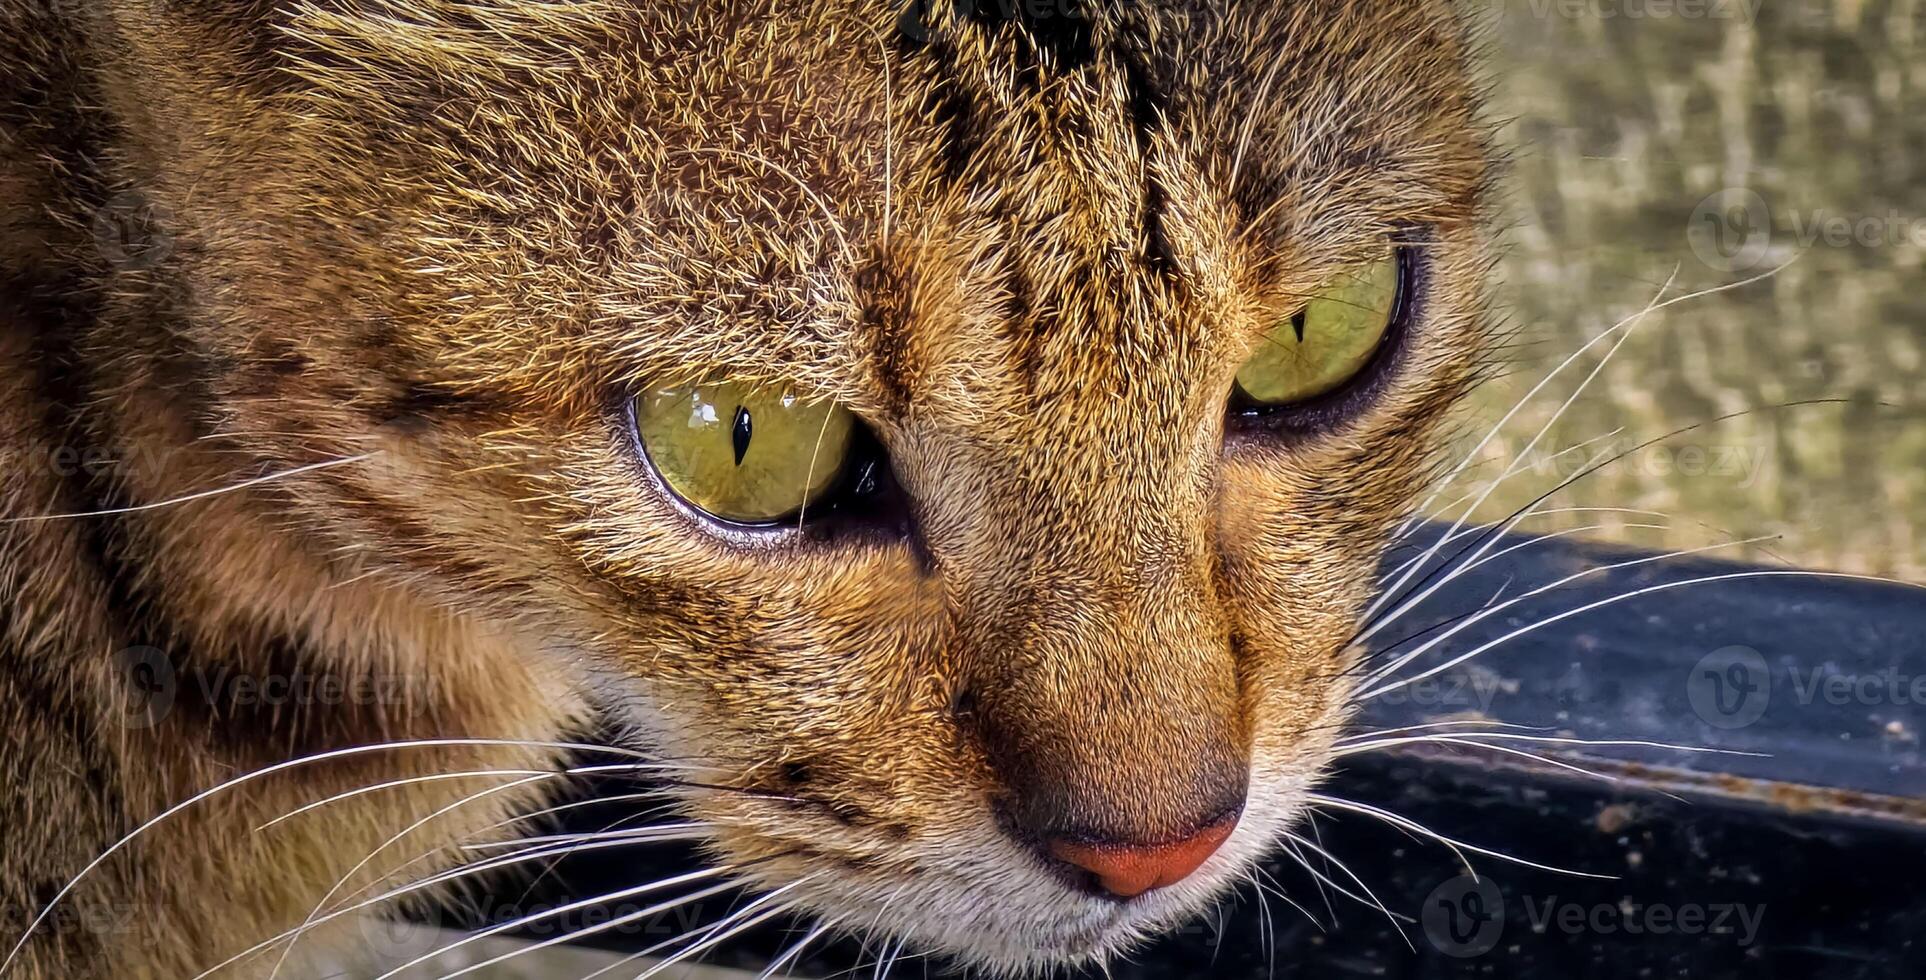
1711,142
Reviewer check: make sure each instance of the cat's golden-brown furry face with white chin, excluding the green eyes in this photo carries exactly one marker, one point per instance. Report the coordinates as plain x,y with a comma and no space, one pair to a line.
1089,600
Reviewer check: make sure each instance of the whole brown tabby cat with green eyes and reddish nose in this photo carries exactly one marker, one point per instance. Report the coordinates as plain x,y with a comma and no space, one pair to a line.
950,446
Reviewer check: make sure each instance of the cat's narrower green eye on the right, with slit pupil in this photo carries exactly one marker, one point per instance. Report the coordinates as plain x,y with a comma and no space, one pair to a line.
1328,342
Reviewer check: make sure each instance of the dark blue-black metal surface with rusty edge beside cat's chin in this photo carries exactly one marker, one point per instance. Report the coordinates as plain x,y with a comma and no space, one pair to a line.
1800,862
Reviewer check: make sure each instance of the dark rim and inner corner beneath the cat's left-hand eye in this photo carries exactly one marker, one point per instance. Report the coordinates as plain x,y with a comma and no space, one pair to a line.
864,496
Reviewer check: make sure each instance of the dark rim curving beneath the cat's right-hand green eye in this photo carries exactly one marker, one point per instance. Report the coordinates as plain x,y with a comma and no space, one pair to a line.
1324,413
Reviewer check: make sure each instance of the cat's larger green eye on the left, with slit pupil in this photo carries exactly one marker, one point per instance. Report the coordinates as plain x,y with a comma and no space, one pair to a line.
748,455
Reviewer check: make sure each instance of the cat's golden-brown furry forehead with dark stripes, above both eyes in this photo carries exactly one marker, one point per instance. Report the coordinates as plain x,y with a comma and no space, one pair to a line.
875,203
